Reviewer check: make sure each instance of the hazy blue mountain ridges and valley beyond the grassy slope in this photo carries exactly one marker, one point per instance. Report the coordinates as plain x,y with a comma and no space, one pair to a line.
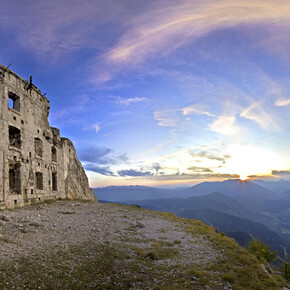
241,209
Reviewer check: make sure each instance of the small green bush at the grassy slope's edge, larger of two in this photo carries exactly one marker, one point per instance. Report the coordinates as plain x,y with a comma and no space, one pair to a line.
262,251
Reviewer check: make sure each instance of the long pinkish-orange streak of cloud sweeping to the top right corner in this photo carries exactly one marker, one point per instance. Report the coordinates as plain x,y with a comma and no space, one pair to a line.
176,25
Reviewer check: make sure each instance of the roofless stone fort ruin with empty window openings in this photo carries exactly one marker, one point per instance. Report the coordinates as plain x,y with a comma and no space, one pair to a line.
36,164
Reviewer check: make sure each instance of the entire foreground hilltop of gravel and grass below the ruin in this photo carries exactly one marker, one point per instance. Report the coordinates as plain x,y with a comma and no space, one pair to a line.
77,245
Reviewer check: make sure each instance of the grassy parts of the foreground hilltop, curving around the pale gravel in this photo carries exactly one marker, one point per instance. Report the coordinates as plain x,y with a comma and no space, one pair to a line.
120,265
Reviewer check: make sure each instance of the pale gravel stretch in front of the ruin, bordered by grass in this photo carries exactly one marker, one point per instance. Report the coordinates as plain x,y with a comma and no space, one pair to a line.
67,223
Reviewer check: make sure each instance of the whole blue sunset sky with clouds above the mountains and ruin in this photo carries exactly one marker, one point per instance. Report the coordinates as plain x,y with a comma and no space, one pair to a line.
157,92
